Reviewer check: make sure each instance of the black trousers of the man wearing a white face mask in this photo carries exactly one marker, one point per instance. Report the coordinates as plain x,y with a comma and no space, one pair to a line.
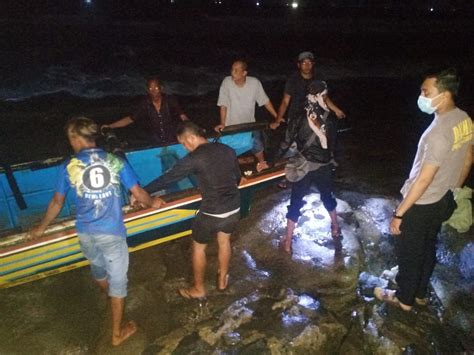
416,247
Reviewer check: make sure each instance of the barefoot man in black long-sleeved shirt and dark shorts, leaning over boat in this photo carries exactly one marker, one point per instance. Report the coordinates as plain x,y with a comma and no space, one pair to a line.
218,174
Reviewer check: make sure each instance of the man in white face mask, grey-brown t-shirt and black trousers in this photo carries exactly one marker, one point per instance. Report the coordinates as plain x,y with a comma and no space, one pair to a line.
442,163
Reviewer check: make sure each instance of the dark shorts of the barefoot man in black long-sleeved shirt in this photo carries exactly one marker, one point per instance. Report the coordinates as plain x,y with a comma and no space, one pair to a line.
206,227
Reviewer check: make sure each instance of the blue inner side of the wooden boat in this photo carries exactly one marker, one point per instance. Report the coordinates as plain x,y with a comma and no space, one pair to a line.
36,181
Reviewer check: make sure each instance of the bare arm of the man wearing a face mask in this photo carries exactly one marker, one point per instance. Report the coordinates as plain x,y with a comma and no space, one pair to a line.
424,179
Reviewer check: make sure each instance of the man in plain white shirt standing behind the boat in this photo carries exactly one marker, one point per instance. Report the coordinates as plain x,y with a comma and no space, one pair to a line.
238,95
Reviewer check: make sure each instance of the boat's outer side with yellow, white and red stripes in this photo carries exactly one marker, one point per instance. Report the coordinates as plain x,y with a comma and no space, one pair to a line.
23,261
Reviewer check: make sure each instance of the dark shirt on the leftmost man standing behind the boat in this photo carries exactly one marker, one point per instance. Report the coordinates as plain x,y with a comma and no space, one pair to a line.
161,126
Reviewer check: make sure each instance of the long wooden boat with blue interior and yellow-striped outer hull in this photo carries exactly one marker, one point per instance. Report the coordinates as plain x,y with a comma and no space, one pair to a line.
23,261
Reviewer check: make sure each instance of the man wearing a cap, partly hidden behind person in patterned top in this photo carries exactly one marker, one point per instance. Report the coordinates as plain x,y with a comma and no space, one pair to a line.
296,90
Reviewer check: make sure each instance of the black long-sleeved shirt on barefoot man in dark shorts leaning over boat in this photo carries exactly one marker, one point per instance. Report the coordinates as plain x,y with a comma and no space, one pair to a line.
217,171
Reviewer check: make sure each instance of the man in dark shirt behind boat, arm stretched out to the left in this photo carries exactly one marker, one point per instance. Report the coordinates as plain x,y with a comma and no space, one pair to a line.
158,114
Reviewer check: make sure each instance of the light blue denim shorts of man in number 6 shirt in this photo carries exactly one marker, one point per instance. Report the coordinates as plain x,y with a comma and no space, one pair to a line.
108,255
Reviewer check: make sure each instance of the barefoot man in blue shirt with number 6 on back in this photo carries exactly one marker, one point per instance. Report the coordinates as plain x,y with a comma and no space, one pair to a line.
95,176
